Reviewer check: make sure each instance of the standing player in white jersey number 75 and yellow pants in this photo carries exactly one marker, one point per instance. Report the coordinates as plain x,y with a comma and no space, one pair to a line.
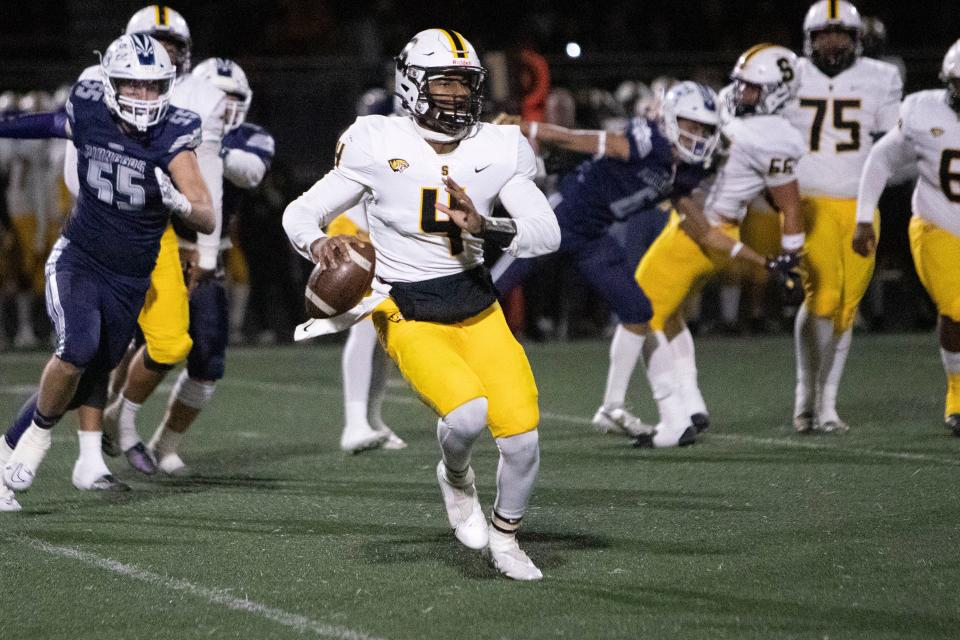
845,101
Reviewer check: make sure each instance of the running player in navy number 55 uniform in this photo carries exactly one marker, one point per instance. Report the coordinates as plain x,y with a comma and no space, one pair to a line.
129,145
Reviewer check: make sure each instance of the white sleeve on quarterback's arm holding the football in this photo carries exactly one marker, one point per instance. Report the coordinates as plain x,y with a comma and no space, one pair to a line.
317,207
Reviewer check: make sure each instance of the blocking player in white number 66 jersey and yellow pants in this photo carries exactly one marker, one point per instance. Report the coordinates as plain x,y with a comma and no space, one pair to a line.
762,153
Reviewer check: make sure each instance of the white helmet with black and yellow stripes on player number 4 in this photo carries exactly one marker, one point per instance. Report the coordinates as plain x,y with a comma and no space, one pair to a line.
438,53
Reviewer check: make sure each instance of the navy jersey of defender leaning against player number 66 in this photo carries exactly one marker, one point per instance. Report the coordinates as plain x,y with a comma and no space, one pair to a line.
601,192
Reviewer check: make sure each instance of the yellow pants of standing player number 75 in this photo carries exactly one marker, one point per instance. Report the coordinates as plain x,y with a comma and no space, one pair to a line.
835,277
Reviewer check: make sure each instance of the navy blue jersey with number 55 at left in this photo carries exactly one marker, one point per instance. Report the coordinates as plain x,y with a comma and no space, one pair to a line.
119,215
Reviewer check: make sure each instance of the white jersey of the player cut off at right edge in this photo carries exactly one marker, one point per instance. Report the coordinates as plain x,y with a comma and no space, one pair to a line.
928,133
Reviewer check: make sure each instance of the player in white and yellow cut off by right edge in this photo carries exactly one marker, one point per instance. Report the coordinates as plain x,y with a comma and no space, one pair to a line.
927,134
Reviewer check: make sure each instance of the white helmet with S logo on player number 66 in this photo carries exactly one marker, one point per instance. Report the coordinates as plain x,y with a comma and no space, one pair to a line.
770,67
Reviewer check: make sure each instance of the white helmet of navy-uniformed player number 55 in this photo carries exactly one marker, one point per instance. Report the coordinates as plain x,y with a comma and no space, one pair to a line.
141,59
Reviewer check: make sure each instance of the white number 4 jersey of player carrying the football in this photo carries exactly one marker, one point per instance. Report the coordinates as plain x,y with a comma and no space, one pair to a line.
387,160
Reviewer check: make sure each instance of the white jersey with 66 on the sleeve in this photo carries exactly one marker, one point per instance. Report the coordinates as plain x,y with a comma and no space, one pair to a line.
763,152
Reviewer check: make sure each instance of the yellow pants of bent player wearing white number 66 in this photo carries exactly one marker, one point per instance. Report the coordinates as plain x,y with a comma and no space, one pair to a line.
673,266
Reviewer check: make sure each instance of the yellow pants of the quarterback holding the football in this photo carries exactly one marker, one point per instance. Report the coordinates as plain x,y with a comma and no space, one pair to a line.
451,364
